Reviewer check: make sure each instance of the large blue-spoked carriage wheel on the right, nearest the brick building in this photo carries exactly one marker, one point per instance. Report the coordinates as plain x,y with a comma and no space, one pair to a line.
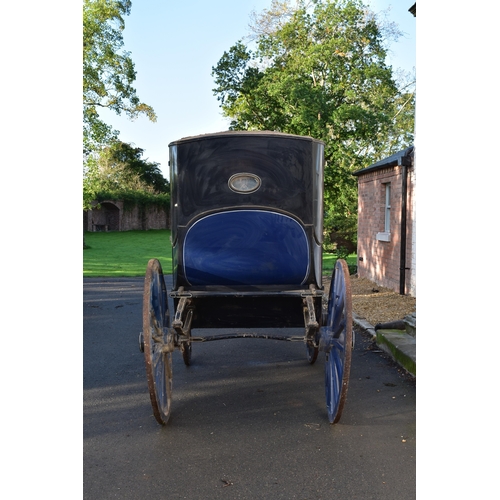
337,338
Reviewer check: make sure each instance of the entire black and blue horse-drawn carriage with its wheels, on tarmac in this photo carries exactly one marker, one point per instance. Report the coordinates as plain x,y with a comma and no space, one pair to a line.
247,232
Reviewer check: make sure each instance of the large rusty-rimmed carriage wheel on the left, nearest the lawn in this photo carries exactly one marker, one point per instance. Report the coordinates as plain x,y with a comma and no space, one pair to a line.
158,343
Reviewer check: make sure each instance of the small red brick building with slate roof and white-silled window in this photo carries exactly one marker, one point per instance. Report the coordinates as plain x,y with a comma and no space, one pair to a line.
387,223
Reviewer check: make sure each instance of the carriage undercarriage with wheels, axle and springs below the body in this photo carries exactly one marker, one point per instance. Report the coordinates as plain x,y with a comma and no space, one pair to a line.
329,331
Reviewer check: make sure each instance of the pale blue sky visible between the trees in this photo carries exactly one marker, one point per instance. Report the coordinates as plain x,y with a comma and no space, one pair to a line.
174,46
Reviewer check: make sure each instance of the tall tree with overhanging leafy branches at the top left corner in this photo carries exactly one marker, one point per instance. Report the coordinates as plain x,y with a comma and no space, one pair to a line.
108,71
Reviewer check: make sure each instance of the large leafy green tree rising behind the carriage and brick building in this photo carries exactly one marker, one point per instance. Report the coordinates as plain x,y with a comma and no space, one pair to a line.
319,69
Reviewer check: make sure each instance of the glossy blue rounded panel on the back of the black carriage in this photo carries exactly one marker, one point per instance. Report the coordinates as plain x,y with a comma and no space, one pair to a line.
246,247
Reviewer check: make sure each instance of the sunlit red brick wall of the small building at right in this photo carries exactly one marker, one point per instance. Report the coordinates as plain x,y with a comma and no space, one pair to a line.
379,260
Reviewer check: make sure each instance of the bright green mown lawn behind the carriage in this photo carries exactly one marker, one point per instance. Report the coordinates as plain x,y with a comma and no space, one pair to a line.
126,253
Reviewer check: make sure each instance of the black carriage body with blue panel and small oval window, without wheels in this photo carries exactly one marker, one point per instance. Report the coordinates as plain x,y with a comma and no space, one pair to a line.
247,227
